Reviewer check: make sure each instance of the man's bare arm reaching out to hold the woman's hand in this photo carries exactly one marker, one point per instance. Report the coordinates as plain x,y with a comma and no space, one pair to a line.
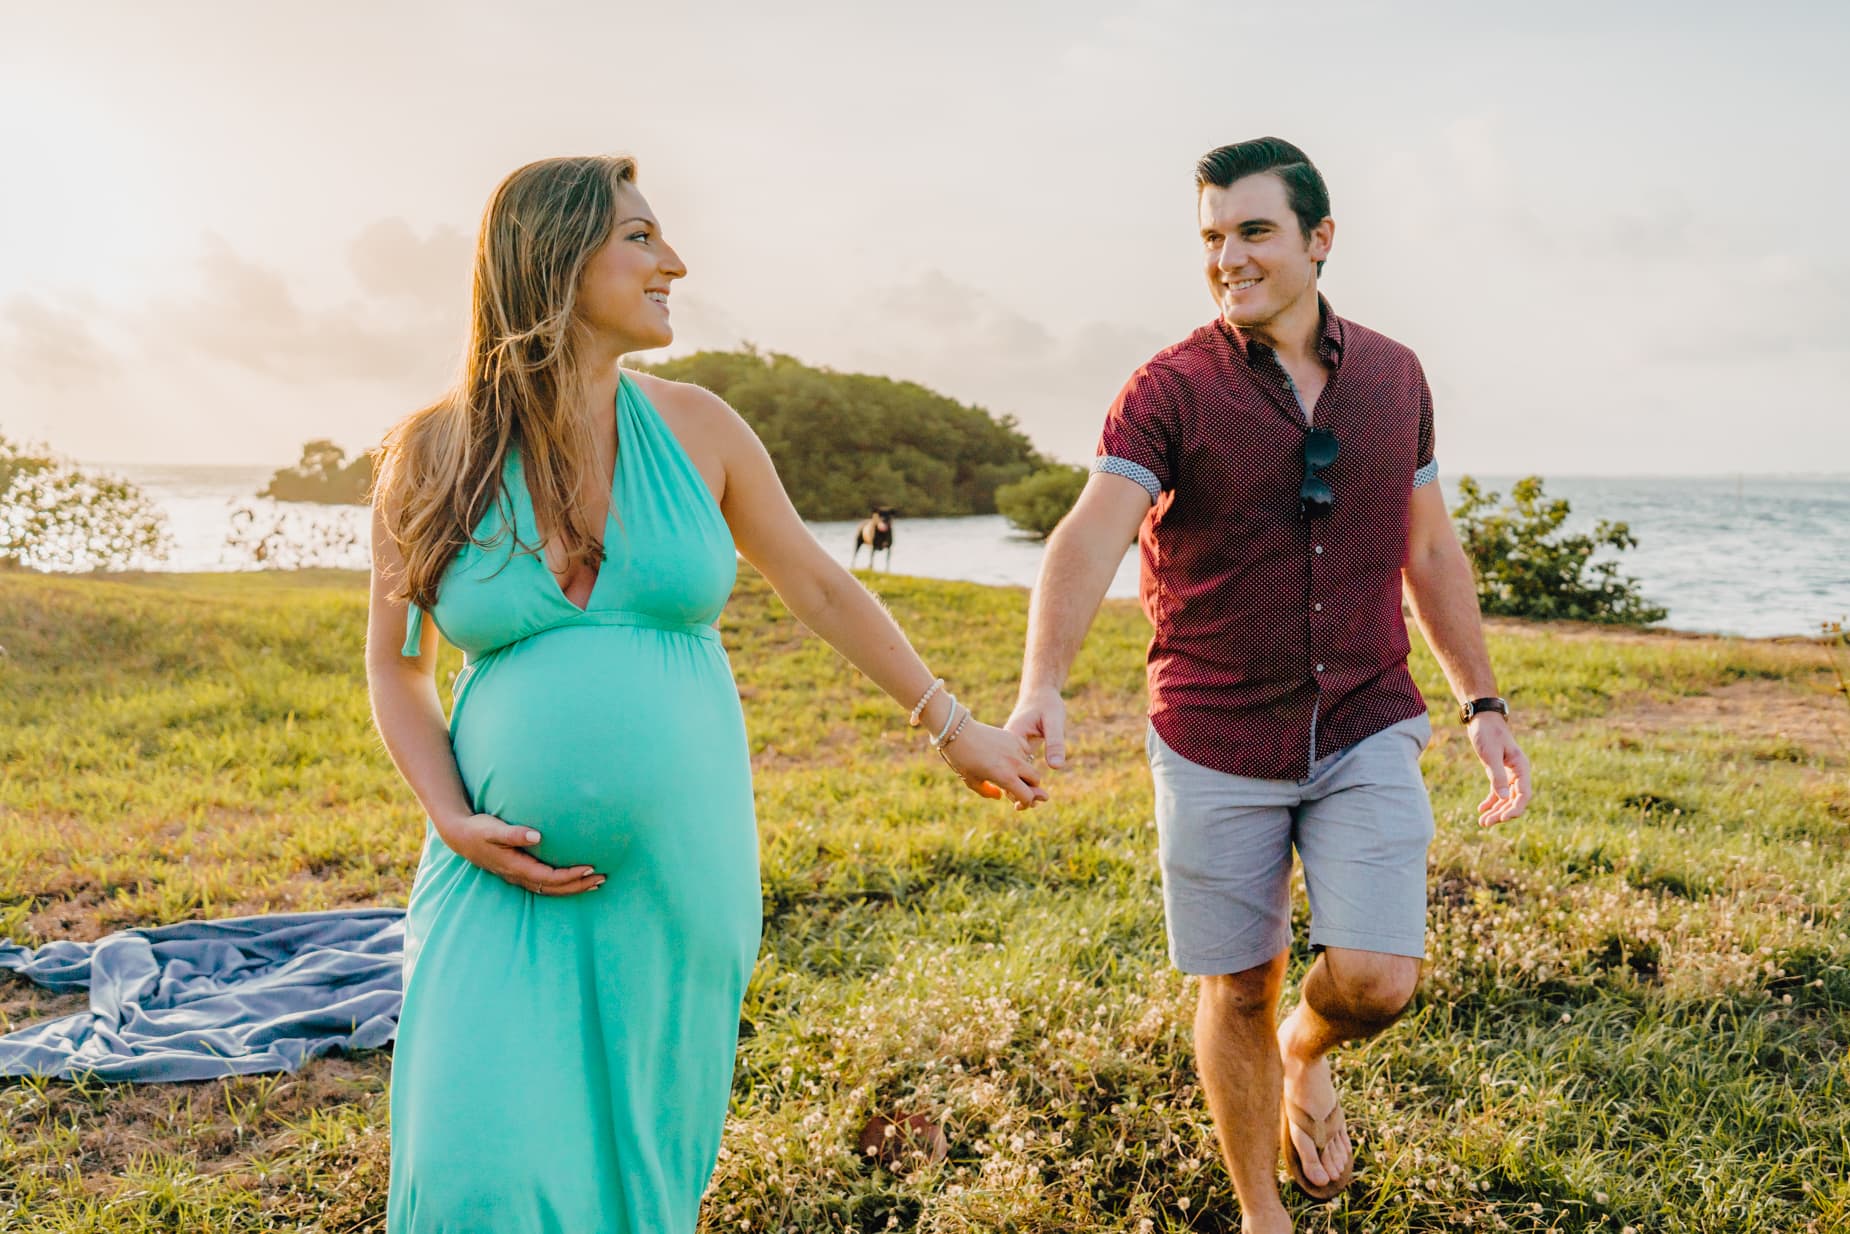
1083,554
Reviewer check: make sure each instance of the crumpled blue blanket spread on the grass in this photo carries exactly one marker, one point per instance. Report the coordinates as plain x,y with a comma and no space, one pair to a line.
203,1000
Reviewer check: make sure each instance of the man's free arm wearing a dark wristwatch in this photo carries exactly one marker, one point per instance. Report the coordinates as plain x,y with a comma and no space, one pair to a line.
1446,606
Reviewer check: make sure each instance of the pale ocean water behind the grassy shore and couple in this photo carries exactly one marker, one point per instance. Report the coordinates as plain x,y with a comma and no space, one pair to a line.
1740,556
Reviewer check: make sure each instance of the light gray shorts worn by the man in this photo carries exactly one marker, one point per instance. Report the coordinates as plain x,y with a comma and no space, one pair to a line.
1361,824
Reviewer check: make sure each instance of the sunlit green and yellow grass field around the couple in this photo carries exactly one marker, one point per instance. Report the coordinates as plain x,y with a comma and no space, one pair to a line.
1636,1013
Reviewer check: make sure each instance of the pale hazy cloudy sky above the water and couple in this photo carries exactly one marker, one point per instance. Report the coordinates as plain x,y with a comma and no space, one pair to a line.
1612,232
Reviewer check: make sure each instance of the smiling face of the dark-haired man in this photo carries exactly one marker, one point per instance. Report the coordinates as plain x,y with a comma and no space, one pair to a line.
1257,256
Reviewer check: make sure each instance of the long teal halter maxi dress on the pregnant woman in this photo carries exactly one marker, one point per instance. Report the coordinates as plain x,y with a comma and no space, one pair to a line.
563,1065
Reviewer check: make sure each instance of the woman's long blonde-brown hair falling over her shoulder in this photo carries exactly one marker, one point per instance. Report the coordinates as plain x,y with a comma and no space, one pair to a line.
441,467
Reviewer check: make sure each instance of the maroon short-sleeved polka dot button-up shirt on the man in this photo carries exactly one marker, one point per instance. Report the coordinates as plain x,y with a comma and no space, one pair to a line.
1279,637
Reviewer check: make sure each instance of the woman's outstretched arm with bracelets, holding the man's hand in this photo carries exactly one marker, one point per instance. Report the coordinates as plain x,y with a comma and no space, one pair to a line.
833,604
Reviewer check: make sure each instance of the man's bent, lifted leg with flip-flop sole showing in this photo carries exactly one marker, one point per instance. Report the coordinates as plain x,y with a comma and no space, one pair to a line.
1348,996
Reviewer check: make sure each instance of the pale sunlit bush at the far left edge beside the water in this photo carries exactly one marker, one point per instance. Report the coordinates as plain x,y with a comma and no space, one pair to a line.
60,517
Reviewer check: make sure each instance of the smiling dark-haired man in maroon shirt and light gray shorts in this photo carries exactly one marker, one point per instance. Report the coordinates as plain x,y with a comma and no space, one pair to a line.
1279,463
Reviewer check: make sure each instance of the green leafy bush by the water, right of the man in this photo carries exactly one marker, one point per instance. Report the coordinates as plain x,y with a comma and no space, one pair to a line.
1527,567
